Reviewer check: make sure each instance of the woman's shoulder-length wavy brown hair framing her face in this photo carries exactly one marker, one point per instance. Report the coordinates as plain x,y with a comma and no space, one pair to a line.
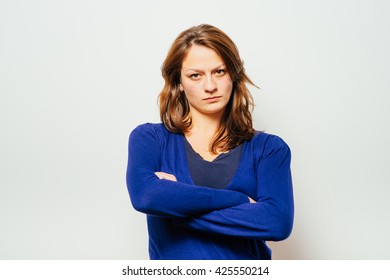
236,123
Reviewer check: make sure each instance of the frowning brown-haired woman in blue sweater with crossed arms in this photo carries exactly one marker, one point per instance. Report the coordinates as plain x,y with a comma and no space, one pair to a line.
212,187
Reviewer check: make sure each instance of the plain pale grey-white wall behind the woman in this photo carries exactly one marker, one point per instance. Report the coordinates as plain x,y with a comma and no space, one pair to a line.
77,76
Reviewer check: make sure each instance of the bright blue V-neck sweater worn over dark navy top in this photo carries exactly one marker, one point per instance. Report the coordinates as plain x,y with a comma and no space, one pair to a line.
186,221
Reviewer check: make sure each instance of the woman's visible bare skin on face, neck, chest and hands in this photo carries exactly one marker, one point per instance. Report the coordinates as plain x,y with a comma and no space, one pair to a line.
208,87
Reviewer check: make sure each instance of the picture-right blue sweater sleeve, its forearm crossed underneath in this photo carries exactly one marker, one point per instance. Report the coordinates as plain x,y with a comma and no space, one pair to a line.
271,217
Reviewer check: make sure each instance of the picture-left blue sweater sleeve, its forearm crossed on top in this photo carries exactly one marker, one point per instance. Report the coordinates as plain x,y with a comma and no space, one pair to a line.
165,198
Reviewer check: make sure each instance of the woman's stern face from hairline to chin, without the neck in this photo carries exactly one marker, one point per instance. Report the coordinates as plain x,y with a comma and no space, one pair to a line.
205,81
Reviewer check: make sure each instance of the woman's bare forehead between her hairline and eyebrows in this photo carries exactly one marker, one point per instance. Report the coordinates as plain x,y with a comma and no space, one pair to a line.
200,57
